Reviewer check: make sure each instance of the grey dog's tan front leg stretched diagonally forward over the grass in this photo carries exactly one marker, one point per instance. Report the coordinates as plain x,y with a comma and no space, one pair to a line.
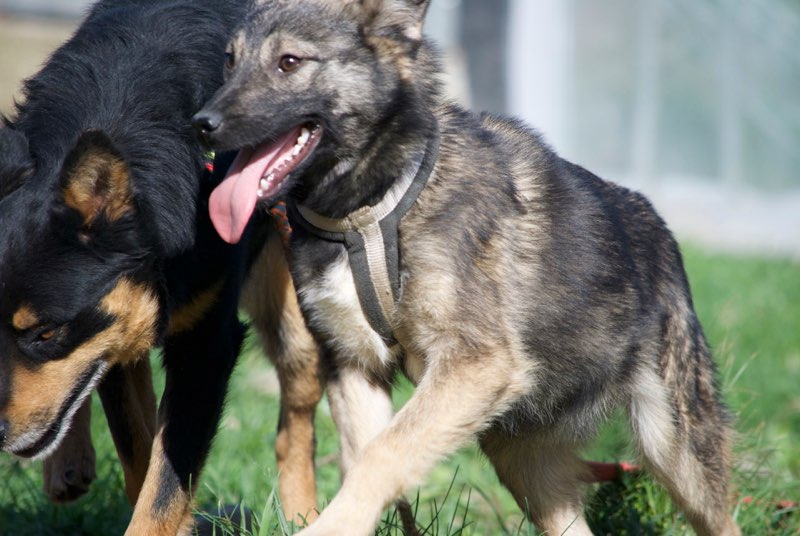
455,400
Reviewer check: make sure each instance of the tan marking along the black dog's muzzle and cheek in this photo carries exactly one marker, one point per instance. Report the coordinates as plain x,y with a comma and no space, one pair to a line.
39,392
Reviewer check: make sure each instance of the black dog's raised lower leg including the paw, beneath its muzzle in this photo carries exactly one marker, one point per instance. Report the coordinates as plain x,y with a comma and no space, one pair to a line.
71,468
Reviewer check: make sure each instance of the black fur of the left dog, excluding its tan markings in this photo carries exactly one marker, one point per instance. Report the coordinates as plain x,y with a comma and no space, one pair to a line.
128,81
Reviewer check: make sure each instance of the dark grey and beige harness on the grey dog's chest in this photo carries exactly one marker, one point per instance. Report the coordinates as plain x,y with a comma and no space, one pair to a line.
369,234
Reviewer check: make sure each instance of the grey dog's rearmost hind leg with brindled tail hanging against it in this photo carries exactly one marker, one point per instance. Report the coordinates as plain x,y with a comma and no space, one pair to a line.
680,424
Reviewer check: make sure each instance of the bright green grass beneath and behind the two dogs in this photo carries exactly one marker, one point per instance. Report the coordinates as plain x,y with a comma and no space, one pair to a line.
750,309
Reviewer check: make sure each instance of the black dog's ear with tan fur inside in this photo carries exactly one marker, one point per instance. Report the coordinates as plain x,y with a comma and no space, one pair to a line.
96,179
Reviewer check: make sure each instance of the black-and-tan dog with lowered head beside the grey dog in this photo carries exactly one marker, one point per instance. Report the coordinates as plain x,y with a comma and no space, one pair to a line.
106,250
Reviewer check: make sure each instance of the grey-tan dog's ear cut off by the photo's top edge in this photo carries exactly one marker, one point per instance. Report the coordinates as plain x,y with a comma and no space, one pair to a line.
402,19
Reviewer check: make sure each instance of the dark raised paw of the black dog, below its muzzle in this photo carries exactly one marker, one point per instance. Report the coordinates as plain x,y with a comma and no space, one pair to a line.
70,470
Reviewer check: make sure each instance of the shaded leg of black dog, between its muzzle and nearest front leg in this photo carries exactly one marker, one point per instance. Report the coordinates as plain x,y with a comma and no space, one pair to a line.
129,403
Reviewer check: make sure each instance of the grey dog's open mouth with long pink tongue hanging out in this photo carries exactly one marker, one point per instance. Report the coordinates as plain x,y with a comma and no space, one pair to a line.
258,174
